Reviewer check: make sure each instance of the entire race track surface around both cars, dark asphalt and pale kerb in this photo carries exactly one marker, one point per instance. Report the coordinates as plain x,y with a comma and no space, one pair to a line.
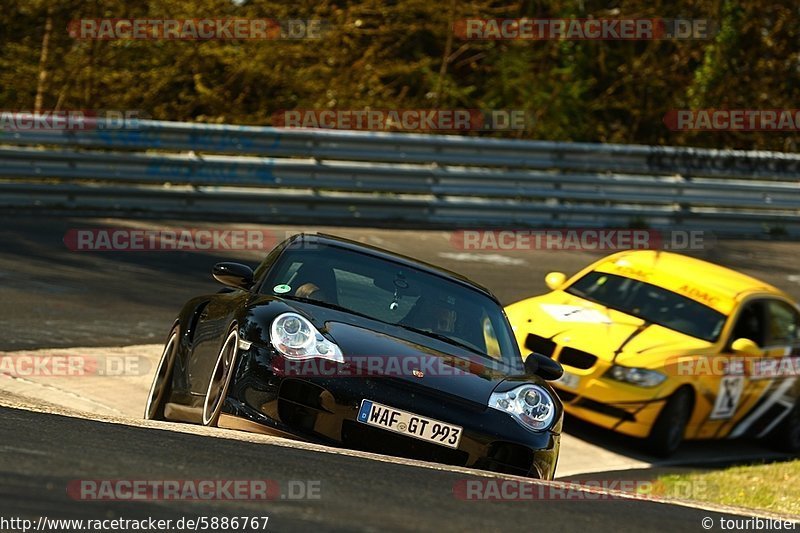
56,298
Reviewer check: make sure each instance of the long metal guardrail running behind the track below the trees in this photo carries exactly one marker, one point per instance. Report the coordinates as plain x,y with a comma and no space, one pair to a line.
263,174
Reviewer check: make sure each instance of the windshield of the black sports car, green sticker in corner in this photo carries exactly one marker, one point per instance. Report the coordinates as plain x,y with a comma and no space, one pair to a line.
396,294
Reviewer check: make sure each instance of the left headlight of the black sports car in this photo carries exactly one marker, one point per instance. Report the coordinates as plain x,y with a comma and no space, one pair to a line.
297,338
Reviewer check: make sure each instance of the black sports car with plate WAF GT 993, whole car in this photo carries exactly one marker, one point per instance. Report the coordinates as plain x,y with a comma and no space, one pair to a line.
346,344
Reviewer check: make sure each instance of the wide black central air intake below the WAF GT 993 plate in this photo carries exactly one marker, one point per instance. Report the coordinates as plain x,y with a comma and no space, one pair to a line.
363,437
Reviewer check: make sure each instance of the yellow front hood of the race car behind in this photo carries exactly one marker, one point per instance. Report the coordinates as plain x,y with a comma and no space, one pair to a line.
572,321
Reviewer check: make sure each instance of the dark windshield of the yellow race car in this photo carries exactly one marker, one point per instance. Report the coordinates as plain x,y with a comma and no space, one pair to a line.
650,303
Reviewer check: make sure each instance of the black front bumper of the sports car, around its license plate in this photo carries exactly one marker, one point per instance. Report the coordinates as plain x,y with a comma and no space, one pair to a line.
326,409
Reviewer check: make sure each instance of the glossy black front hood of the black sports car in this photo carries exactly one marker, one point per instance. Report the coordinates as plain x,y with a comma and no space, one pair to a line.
449,369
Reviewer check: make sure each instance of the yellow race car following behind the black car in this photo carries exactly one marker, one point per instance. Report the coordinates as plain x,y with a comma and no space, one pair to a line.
664,347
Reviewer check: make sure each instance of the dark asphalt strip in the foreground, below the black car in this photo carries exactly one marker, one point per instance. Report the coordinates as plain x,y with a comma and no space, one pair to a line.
51,450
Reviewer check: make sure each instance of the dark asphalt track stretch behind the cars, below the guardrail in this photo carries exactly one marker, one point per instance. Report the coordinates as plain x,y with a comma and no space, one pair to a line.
122,298
